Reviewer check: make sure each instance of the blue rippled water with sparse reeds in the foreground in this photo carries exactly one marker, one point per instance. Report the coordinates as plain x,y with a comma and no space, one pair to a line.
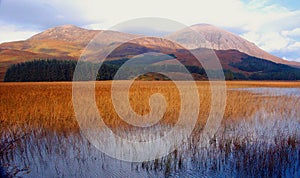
267,145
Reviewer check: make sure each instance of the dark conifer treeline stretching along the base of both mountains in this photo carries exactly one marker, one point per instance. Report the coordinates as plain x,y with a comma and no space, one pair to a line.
63,70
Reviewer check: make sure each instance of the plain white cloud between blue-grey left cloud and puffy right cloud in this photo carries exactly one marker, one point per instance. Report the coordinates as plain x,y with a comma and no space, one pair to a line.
111,12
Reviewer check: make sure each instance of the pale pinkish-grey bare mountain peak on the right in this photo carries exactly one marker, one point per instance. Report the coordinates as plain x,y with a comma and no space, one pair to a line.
220,39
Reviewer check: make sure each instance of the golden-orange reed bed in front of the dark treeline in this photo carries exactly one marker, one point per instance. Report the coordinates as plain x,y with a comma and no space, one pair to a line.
49,104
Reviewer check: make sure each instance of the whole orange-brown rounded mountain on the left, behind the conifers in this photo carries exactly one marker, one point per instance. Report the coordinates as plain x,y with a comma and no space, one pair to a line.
63,42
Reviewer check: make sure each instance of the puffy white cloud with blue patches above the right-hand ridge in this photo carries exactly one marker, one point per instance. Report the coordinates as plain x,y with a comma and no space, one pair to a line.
277,29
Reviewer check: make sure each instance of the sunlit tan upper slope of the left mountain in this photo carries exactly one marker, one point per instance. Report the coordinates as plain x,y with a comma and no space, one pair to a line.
67,40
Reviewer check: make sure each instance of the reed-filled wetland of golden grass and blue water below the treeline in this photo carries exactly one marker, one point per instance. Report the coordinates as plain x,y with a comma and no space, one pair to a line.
38,119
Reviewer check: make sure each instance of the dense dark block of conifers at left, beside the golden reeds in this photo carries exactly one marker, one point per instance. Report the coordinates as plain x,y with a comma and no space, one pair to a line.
55,70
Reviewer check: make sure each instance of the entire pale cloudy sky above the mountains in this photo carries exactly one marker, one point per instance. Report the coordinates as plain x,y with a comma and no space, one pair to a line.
273,25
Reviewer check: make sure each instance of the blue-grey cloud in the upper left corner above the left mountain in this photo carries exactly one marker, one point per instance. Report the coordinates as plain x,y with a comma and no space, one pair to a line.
41,14
